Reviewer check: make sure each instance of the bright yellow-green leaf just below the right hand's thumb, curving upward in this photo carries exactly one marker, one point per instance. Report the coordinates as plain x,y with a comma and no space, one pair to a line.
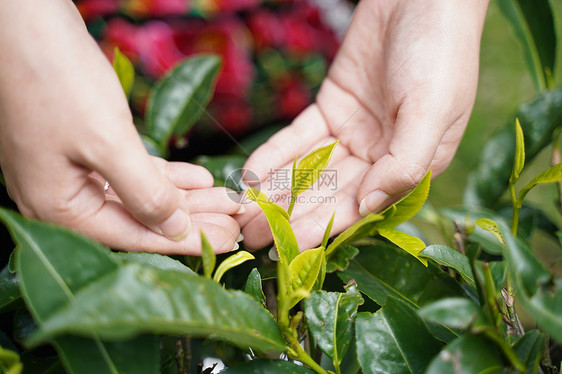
409,205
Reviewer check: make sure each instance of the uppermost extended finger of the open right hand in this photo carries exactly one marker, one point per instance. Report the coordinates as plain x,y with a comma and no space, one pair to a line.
294,140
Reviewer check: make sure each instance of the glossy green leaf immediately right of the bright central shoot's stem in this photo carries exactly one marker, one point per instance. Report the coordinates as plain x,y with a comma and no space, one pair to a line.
330,317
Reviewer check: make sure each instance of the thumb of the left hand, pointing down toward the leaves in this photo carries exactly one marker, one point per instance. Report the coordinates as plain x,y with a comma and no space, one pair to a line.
145,192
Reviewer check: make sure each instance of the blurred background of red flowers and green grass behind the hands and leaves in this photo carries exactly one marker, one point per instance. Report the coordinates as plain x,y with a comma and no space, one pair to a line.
275,54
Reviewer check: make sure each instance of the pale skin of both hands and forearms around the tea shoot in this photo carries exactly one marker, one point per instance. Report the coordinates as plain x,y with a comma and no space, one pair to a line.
398,97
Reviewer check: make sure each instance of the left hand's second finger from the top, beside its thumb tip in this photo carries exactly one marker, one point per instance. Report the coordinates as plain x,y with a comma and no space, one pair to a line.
214,200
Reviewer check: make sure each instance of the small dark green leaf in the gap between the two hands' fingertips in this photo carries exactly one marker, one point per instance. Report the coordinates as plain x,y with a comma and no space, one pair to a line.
227,170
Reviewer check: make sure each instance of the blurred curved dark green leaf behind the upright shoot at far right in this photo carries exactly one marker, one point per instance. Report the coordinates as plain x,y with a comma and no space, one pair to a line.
539,119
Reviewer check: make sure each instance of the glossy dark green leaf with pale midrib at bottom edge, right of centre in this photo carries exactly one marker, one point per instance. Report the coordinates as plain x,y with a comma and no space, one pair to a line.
394,340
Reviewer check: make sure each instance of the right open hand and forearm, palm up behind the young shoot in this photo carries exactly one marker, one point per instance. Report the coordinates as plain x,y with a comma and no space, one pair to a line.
398,97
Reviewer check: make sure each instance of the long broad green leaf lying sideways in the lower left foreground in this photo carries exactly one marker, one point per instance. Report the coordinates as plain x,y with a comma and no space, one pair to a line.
135,300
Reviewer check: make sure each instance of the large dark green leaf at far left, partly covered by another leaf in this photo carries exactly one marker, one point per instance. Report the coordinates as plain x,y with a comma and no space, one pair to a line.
53,264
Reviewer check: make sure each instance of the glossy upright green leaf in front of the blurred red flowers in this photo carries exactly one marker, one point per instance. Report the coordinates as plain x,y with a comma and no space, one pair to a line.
179,99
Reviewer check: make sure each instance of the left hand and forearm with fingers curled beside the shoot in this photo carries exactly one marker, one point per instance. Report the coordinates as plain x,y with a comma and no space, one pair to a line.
66,128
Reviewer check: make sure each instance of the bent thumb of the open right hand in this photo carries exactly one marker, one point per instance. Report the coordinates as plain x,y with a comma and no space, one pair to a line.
410,155
